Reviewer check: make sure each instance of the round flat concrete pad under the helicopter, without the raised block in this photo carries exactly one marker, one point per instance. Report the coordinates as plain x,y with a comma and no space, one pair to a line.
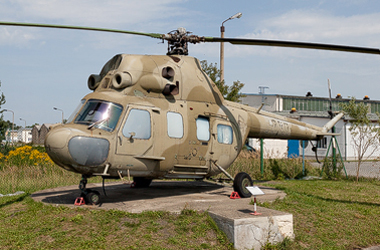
172,196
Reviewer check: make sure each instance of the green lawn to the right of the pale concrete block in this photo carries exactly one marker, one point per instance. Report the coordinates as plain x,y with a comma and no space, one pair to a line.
331,214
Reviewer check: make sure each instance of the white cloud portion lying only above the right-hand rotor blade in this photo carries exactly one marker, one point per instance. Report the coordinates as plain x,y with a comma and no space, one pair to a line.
320,26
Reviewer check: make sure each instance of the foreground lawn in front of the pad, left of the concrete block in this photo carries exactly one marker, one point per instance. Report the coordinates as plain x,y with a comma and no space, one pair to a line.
26,224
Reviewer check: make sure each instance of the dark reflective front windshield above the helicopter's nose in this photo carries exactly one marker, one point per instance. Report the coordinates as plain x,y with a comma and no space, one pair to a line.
100,114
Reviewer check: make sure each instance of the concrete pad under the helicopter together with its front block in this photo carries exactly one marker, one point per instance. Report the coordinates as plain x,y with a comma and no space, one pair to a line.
231,215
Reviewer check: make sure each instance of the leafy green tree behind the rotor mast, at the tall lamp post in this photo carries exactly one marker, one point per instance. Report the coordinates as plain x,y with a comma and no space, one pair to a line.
231,93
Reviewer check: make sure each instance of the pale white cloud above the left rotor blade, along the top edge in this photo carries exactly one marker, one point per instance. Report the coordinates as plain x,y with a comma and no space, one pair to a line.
112,12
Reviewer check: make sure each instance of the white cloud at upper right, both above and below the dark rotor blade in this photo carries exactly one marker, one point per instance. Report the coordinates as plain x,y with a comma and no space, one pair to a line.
313,26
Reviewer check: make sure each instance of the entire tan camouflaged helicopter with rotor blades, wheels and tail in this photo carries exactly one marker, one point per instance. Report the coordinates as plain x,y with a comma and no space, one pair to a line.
161,116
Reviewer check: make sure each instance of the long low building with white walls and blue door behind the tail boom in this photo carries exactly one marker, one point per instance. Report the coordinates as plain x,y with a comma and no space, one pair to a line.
309,109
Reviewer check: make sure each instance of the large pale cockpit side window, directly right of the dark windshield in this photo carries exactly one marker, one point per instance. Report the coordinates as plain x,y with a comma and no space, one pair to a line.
138,122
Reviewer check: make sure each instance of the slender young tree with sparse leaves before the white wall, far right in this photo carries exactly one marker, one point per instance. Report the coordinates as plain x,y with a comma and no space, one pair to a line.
365,132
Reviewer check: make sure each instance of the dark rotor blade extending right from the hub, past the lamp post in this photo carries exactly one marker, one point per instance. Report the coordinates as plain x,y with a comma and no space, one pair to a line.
292,44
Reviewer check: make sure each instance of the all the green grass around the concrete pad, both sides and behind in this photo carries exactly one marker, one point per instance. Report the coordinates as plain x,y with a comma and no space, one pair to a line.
339,214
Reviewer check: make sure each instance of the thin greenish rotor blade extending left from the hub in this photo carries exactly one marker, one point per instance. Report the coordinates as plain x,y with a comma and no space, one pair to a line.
154,35
